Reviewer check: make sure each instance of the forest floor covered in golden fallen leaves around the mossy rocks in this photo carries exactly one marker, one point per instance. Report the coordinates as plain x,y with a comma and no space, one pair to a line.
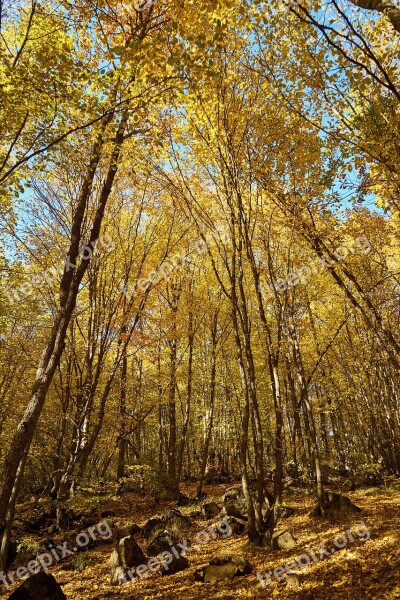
368,569
